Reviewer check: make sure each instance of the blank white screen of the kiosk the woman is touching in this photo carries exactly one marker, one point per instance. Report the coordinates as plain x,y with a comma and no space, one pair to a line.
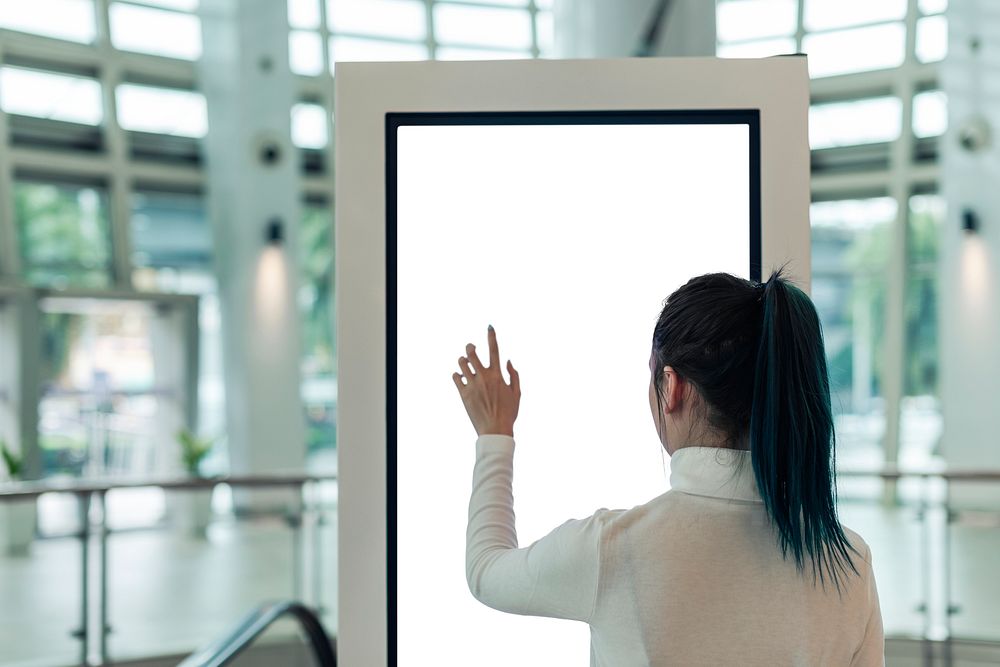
567,238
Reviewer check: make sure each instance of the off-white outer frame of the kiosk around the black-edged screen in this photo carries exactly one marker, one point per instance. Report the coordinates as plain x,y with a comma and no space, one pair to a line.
365,93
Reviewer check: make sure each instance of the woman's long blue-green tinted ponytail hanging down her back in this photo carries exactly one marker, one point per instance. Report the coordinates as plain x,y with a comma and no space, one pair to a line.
791,432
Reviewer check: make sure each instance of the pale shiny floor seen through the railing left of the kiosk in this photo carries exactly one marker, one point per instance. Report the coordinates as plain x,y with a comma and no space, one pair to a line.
167,592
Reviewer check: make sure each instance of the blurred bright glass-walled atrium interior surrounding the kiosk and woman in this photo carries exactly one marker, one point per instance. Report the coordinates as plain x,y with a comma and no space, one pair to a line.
137,244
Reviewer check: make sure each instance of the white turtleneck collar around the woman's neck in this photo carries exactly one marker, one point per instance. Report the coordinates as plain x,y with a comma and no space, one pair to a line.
715,472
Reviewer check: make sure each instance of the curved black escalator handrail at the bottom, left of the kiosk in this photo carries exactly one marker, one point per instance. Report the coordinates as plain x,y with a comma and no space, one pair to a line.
224,650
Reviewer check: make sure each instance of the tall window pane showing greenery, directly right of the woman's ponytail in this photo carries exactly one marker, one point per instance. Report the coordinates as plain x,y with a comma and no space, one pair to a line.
850,249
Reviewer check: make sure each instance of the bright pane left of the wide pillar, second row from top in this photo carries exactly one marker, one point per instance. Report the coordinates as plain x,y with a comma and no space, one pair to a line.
162,110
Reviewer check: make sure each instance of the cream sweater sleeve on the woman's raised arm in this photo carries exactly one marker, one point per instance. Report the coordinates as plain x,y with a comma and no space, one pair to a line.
557,576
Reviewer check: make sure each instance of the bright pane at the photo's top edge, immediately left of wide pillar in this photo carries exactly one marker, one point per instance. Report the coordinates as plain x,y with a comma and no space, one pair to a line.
162,33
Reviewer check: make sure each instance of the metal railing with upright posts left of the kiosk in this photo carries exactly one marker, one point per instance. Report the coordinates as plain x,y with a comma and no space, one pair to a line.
91,496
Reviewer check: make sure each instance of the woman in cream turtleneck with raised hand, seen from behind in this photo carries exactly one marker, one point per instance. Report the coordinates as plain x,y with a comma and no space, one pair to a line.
743,561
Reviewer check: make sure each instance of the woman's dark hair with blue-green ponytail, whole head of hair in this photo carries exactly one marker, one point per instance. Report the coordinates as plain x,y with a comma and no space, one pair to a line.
754,352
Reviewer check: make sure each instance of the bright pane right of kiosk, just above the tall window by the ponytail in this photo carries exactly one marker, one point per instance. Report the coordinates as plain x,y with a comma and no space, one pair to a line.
857,122
